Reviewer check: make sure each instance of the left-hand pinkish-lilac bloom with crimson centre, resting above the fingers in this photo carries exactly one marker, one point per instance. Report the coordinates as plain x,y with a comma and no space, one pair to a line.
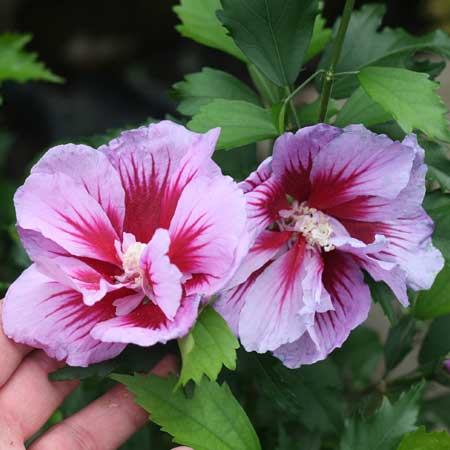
124,239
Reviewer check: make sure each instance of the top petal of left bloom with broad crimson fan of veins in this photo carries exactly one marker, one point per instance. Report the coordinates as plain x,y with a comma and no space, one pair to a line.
155,163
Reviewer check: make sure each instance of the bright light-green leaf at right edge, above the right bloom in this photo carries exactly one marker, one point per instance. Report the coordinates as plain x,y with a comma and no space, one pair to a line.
410,97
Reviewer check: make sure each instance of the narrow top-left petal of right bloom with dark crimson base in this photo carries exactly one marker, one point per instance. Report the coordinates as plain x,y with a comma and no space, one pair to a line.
293,156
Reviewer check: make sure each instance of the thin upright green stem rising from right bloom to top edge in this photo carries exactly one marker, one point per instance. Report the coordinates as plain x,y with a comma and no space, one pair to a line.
329,74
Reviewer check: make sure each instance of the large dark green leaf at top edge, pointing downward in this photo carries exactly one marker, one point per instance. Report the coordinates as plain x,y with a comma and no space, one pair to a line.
273,36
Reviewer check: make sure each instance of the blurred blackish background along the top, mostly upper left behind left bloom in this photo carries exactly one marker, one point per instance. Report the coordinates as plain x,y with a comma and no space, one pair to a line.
119,60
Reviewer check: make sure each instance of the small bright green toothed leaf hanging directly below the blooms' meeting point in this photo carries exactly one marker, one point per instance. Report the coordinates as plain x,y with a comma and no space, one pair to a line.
208,346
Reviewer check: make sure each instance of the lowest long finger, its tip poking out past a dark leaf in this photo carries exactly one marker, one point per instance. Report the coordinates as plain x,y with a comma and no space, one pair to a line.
105,424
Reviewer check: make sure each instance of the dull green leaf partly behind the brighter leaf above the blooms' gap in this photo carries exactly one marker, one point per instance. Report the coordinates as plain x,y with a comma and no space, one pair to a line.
202,87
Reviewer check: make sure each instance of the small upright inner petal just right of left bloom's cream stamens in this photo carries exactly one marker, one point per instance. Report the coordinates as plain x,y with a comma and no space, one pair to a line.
162,279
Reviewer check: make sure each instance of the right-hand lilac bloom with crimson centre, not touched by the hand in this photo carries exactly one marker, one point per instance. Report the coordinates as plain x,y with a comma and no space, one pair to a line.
329,203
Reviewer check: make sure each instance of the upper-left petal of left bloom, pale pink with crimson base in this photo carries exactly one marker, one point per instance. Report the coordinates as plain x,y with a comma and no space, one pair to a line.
62,211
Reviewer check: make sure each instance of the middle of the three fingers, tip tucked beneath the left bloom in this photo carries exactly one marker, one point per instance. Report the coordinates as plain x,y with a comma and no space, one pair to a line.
28,399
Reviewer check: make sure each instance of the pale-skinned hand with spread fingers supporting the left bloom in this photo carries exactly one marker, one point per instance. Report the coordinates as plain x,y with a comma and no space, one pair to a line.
28,399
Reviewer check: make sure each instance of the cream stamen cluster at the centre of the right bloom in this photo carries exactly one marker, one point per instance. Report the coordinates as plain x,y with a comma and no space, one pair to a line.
312,224
